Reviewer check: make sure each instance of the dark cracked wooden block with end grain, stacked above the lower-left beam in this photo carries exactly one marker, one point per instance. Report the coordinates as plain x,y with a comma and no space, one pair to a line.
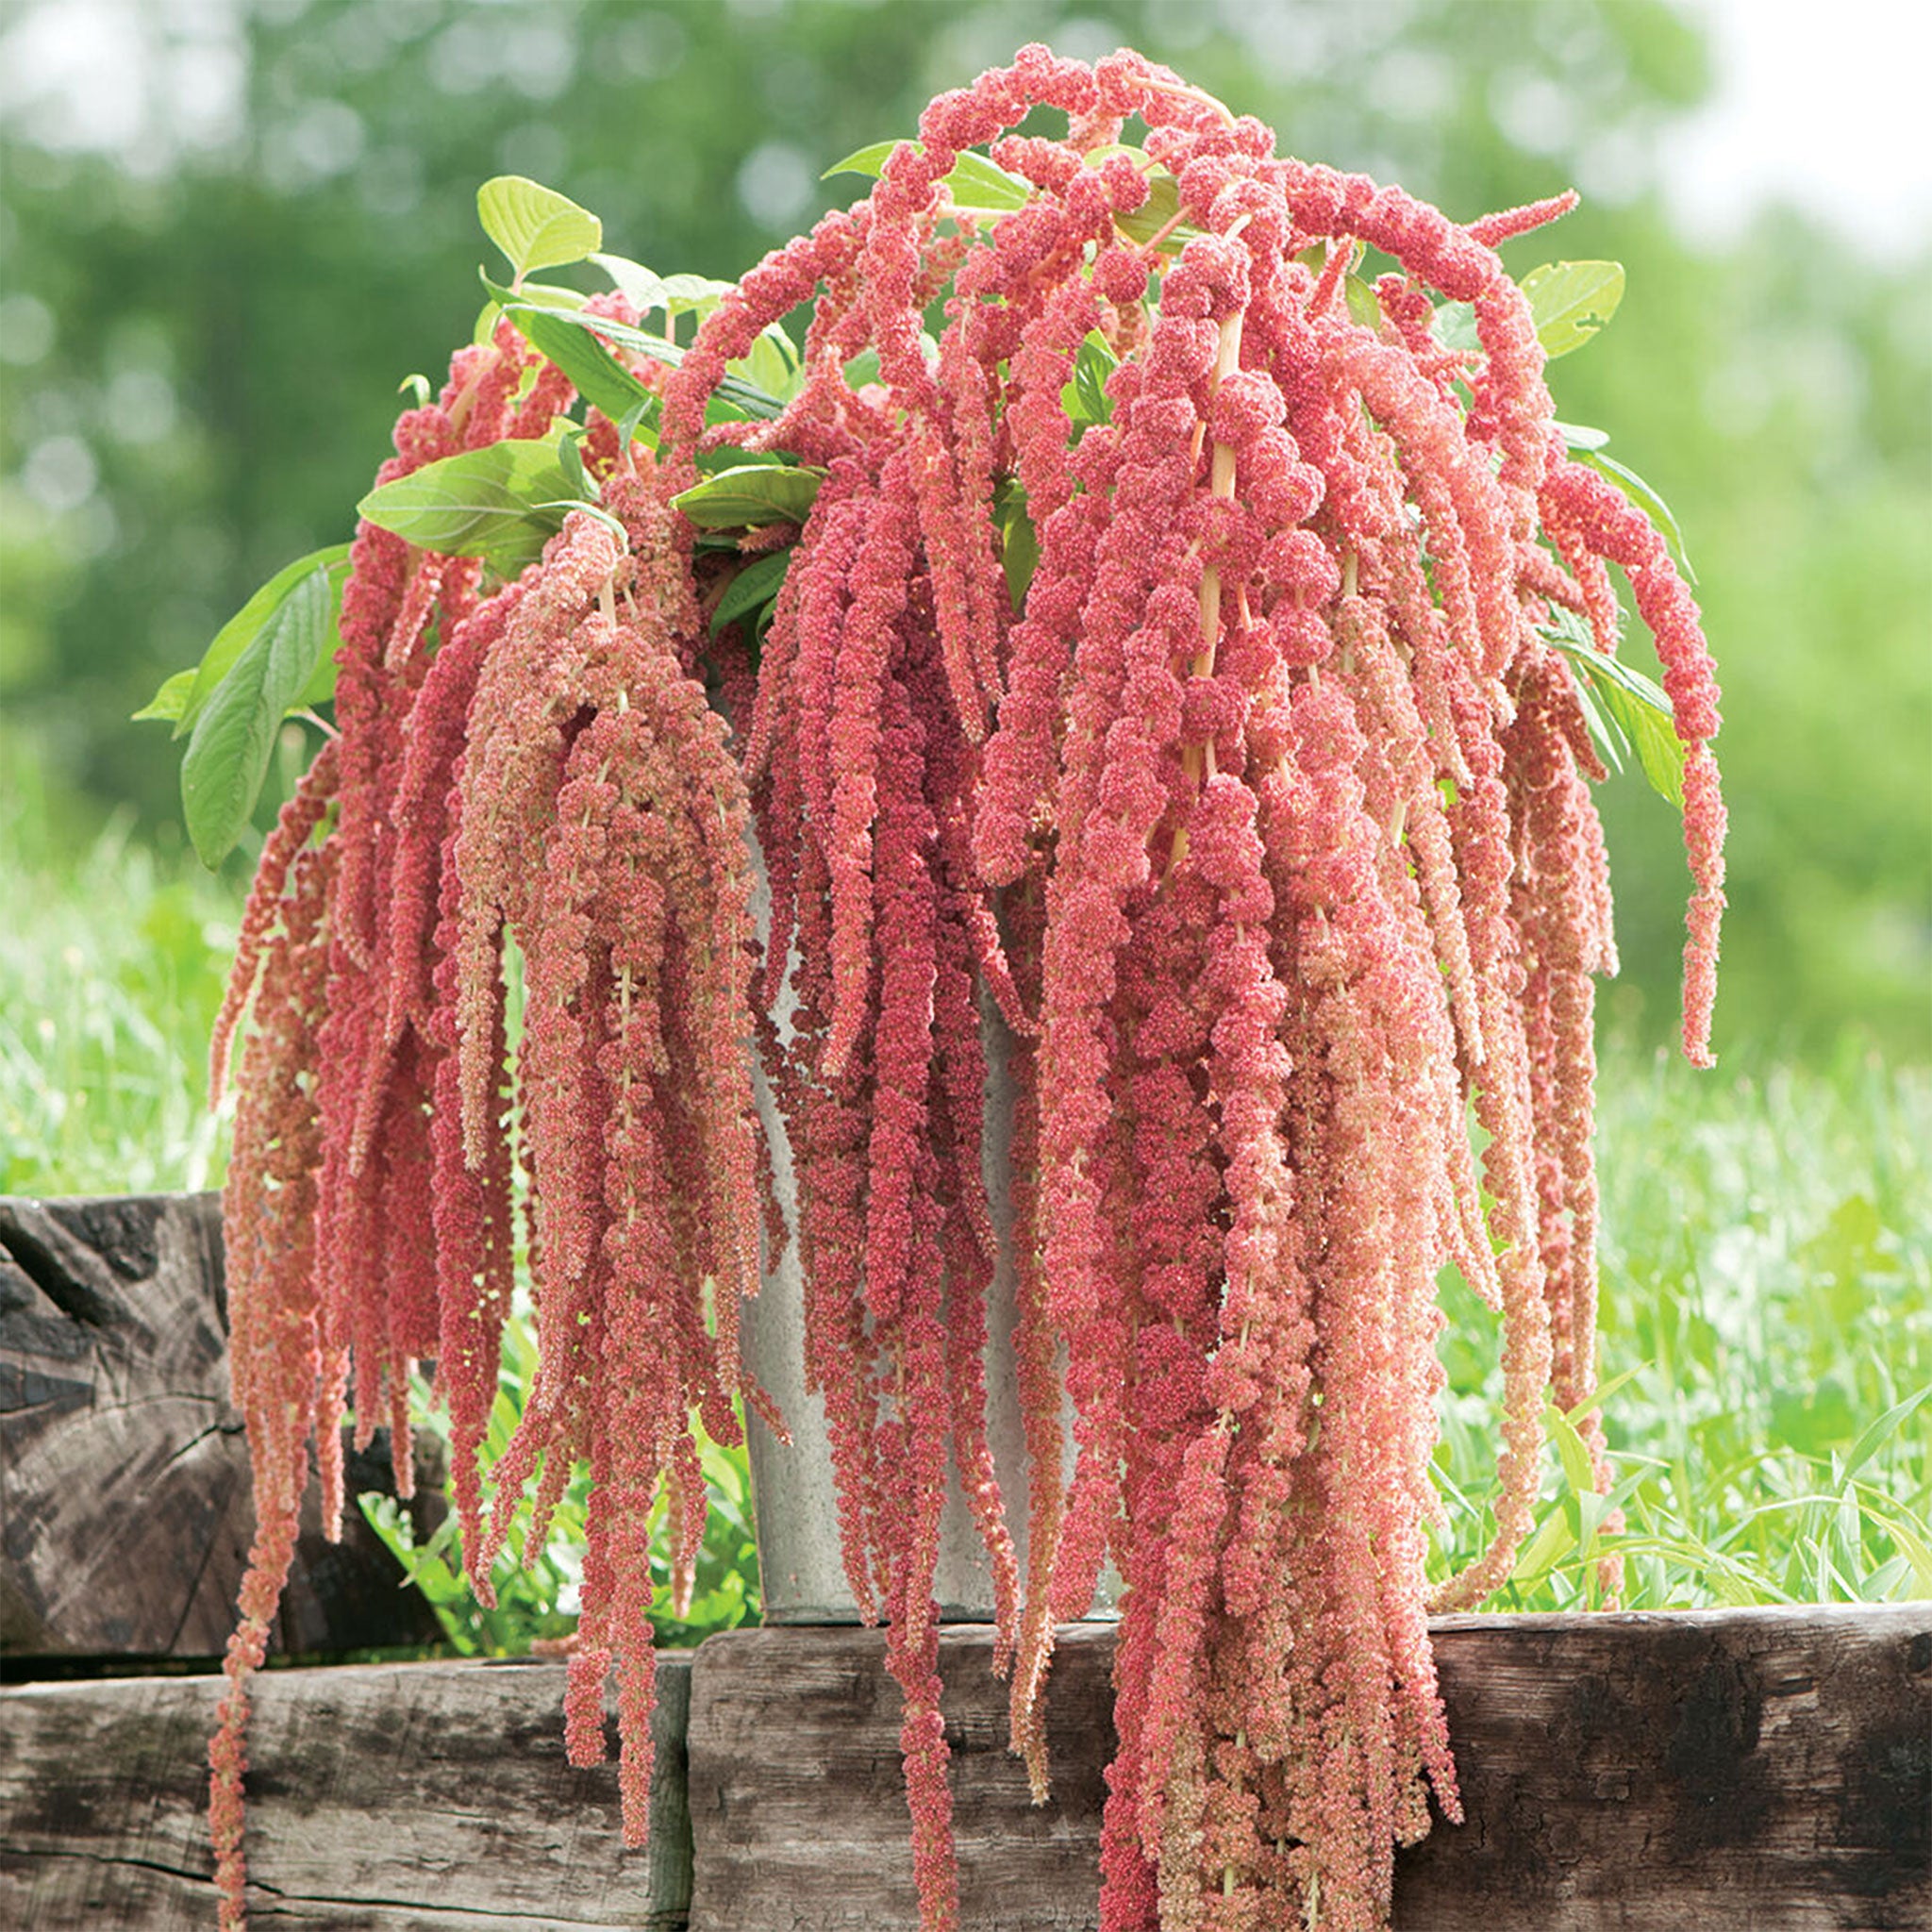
123,1460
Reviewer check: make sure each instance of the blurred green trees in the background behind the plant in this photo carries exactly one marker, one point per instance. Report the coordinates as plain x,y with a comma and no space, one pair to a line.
231,227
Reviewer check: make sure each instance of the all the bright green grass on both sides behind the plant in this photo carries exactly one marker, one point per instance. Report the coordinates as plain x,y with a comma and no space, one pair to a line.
1767,1268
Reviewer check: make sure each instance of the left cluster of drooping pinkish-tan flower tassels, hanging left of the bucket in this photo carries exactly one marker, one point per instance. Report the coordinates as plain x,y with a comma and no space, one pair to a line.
530,772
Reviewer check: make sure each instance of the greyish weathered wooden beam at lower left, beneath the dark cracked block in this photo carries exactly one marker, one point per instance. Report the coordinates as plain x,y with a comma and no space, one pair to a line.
382,1798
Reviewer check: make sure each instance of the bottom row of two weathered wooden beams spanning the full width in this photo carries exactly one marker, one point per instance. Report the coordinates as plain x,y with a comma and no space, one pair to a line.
1769,1771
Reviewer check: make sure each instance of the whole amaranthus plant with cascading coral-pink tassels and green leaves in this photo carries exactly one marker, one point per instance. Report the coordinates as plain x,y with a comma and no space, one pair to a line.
1195,652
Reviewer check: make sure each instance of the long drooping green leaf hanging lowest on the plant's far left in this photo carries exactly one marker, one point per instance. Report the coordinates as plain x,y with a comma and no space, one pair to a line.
235,735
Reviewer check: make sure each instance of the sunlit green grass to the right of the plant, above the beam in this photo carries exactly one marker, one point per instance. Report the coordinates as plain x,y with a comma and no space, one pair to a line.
1767,1332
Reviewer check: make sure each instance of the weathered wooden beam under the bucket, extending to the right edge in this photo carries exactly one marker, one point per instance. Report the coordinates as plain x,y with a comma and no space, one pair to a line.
1763,1769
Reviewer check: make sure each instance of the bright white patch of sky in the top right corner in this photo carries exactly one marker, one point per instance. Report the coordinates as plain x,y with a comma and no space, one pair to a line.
1821,101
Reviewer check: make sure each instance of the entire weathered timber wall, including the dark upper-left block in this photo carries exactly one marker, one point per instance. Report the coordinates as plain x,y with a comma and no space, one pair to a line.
1765,1769
